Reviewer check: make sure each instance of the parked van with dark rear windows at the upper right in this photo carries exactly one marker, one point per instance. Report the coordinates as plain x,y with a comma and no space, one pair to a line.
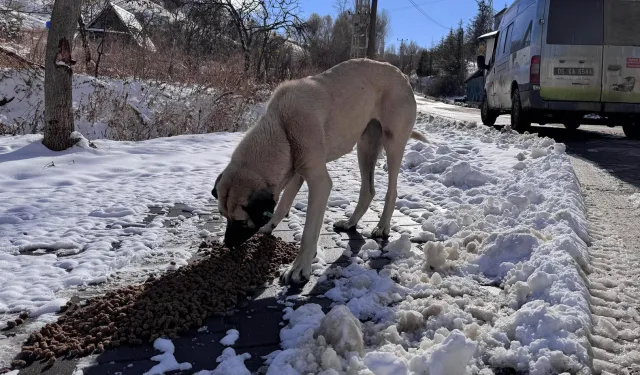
561,60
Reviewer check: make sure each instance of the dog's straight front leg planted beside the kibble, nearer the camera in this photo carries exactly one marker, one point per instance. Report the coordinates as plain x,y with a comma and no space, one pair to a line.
320,185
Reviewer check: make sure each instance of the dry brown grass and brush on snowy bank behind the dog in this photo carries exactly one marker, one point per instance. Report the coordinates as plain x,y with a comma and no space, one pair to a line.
223,93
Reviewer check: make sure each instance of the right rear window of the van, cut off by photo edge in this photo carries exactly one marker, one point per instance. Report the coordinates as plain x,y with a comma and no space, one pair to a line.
622,22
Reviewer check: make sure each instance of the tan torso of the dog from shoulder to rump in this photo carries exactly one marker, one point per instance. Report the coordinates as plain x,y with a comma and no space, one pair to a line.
343,100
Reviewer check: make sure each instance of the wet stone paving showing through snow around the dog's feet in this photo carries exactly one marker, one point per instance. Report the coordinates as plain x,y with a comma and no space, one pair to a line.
259,317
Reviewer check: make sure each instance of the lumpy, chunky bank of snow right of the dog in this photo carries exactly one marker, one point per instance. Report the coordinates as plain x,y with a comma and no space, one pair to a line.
496,285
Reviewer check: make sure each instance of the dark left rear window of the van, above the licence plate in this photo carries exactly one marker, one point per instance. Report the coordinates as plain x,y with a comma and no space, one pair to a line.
576,22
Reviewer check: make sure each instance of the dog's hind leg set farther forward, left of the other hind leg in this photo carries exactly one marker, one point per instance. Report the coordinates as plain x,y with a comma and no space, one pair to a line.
369,147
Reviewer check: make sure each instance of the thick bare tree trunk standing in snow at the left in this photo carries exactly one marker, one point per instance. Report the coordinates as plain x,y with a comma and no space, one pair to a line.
58,112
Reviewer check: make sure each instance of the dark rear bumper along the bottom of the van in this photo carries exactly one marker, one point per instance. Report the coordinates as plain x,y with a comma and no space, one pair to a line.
531,101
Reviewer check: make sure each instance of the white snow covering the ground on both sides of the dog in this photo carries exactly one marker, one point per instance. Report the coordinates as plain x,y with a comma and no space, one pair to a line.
494,280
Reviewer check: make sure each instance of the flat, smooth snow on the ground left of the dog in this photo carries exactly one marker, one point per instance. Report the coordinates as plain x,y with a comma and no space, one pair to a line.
70,215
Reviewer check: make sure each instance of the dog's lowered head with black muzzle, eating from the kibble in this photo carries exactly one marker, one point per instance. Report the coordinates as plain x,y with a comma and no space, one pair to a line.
246,201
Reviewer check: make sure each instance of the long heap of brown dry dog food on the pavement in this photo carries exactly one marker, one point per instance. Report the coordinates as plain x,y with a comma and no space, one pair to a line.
166,306
